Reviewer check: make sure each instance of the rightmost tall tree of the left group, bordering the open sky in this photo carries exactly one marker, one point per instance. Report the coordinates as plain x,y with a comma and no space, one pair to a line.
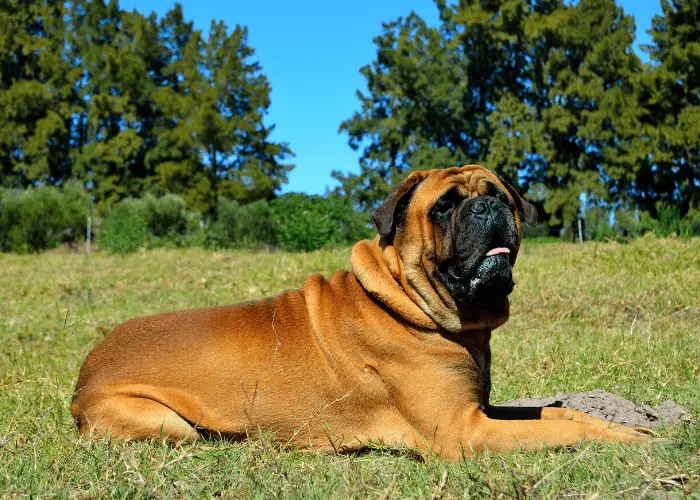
213,141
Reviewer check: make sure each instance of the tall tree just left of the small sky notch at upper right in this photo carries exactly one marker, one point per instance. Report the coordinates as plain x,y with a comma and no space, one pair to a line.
590,115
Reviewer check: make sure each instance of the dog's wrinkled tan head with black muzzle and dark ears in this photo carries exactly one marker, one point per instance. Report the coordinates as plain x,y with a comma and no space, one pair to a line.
455,234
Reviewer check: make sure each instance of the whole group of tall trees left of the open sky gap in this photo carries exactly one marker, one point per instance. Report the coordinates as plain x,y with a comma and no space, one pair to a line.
128,104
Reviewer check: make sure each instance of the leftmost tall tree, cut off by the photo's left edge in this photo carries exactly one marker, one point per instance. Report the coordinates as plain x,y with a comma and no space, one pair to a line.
35,86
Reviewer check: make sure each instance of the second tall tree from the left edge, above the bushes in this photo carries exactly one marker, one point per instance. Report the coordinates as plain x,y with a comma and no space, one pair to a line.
114,50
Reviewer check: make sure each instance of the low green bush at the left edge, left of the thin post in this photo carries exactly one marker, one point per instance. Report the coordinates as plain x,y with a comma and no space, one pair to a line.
41,218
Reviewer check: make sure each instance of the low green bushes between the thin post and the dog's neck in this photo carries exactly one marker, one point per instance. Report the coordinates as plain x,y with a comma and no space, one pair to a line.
295,222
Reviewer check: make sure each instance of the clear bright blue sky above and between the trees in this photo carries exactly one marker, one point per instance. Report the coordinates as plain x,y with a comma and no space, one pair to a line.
311,52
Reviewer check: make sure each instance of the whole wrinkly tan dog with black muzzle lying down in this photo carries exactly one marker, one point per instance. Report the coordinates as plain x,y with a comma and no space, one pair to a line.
395,352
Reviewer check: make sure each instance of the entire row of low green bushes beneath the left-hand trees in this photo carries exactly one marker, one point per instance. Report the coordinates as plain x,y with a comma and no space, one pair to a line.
42,218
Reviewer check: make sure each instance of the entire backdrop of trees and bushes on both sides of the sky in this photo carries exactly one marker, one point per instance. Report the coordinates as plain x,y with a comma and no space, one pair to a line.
117,109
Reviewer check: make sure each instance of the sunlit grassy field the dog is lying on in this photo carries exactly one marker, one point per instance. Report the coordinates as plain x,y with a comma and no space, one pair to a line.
624,318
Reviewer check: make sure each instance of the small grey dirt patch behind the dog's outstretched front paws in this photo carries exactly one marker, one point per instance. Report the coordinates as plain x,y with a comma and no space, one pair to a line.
612,407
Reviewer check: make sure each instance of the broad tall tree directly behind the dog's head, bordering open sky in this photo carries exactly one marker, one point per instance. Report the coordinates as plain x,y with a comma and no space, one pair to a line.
449,95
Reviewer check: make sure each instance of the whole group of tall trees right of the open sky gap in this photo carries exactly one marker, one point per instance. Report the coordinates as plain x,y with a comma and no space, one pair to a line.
549,93
